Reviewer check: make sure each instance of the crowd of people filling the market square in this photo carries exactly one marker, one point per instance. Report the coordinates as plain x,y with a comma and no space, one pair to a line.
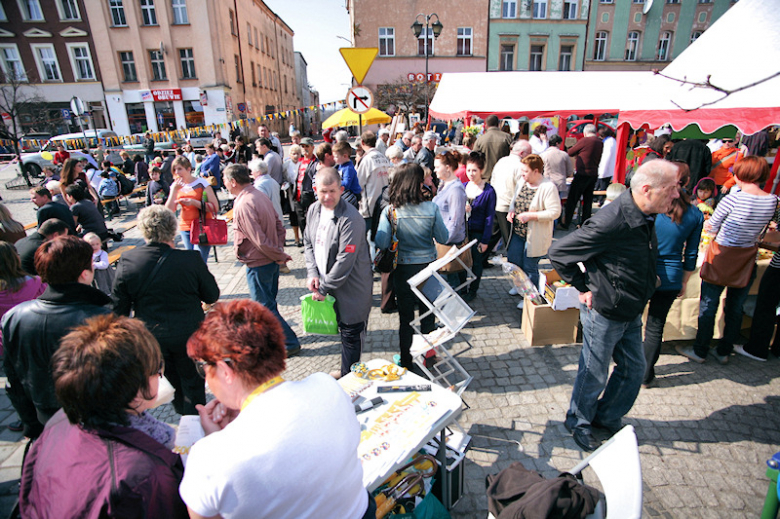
83,374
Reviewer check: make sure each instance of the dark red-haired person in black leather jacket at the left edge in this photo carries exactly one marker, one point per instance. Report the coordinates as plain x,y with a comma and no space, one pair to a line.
32,330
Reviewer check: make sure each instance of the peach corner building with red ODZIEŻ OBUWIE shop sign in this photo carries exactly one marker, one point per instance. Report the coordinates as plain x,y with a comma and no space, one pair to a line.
174,64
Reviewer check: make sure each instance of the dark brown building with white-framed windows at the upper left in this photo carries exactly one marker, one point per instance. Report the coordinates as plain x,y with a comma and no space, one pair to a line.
47,46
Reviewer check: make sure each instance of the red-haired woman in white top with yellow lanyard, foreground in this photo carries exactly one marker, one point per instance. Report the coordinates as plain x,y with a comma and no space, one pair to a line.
267,436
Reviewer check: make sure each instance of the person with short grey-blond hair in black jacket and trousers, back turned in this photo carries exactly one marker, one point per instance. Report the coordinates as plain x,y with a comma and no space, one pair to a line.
167,298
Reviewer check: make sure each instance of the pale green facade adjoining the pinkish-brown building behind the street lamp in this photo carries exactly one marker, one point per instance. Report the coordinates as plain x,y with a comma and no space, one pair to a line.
537,34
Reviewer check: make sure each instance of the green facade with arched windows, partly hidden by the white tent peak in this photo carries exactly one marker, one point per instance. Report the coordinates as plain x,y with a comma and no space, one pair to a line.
646,34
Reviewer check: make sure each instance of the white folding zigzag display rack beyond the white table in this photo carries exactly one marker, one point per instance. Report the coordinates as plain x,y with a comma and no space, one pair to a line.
443,301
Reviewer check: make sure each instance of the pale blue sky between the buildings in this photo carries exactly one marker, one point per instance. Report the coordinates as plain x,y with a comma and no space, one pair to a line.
316,24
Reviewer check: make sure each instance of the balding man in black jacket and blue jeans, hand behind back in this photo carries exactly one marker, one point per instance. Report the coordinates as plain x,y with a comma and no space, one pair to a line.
618,250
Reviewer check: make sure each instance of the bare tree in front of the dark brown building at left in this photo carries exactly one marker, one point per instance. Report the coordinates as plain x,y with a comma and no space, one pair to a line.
17,97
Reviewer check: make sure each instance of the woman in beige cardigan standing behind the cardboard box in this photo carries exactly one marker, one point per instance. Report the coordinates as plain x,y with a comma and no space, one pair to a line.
535,206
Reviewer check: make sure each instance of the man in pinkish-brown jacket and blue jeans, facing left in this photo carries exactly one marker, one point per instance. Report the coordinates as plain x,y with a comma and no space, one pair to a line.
258,240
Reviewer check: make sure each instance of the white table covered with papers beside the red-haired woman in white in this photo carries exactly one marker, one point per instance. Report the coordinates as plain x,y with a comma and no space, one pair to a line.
392,432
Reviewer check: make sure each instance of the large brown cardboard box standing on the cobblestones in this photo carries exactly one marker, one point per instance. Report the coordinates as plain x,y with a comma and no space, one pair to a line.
543,325
